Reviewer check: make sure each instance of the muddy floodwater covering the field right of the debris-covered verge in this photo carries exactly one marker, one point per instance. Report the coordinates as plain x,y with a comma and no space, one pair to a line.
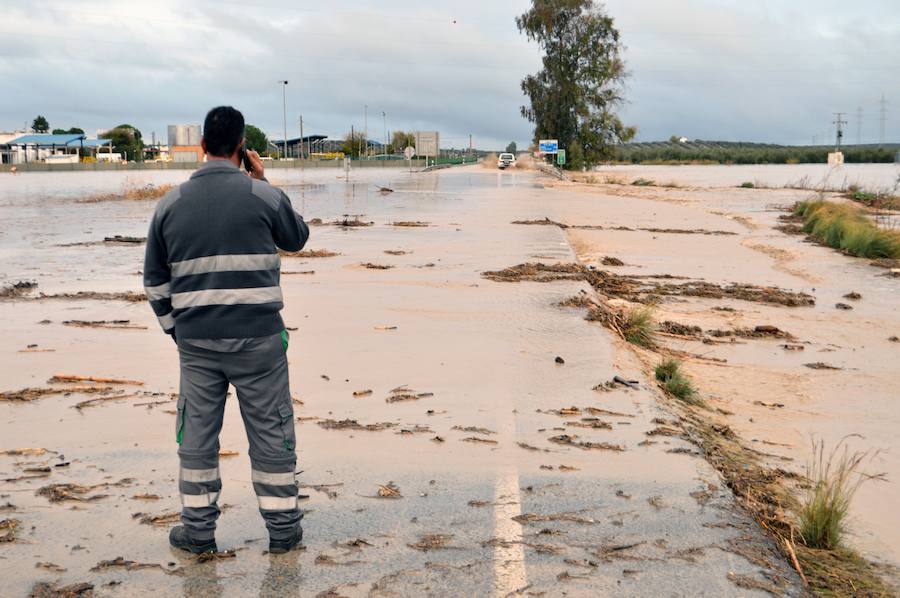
768,390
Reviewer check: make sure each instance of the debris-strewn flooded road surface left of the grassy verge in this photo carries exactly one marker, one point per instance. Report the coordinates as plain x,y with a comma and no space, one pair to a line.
495,496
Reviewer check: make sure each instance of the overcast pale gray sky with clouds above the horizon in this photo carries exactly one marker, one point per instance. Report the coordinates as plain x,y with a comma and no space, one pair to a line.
766,70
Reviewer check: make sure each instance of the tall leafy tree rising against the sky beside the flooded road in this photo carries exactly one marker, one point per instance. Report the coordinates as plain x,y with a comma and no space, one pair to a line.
574,97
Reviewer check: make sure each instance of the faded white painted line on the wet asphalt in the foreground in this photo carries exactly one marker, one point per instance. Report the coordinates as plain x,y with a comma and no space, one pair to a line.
509,554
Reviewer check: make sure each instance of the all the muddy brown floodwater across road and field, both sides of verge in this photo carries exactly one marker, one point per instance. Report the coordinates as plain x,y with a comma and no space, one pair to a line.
444,447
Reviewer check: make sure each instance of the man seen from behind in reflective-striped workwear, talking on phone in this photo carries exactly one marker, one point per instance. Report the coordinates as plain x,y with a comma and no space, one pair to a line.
211,273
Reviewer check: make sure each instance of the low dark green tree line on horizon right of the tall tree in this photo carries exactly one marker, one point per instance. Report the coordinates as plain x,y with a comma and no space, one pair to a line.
723,152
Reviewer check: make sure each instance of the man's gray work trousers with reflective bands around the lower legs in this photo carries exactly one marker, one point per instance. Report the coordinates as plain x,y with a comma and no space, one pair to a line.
259,373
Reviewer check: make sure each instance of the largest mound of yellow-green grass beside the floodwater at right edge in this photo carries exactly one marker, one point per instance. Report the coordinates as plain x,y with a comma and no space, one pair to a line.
848,228
